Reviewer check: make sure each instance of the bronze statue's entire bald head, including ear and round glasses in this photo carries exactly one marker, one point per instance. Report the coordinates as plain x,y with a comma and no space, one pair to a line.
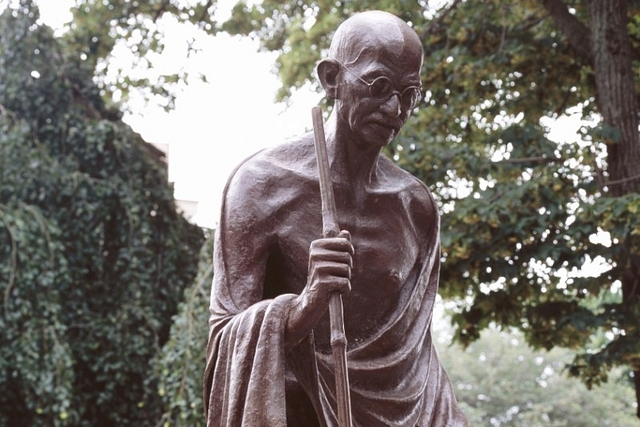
373,73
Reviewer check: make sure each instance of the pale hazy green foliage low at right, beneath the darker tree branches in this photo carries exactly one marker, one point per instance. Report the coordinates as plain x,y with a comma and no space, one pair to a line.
499,381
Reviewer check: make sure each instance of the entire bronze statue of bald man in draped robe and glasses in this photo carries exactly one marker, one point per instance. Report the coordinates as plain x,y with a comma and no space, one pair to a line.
269,357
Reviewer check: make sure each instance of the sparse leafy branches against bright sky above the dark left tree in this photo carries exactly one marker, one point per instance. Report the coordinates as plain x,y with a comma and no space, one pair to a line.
98,27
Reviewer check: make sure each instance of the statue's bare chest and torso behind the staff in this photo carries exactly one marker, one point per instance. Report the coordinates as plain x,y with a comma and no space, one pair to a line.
385,225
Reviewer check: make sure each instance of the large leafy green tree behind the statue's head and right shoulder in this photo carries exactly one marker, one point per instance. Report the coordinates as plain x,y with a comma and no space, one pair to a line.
526,219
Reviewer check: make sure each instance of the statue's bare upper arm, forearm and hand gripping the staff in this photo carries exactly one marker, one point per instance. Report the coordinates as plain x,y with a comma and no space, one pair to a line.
245,238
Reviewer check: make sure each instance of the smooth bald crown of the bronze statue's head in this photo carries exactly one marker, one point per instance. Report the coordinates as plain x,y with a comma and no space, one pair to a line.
374,30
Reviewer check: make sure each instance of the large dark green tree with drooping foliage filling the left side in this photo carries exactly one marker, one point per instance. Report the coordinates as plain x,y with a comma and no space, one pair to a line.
94,256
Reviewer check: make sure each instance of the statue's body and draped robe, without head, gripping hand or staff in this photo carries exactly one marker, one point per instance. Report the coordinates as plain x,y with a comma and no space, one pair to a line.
270,209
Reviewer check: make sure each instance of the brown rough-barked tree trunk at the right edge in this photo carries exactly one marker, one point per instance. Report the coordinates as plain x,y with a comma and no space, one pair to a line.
617,102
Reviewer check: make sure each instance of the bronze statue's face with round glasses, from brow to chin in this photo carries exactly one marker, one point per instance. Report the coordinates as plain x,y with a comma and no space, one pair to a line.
374,122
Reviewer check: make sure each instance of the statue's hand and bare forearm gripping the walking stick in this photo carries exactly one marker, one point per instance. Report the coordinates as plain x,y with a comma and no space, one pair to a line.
330,262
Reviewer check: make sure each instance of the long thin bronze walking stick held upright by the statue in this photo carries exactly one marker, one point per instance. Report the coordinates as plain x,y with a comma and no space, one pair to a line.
330,228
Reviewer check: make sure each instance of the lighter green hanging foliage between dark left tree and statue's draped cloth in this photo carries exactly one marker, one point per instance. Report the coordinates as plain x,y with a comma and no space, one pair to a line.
180,365
